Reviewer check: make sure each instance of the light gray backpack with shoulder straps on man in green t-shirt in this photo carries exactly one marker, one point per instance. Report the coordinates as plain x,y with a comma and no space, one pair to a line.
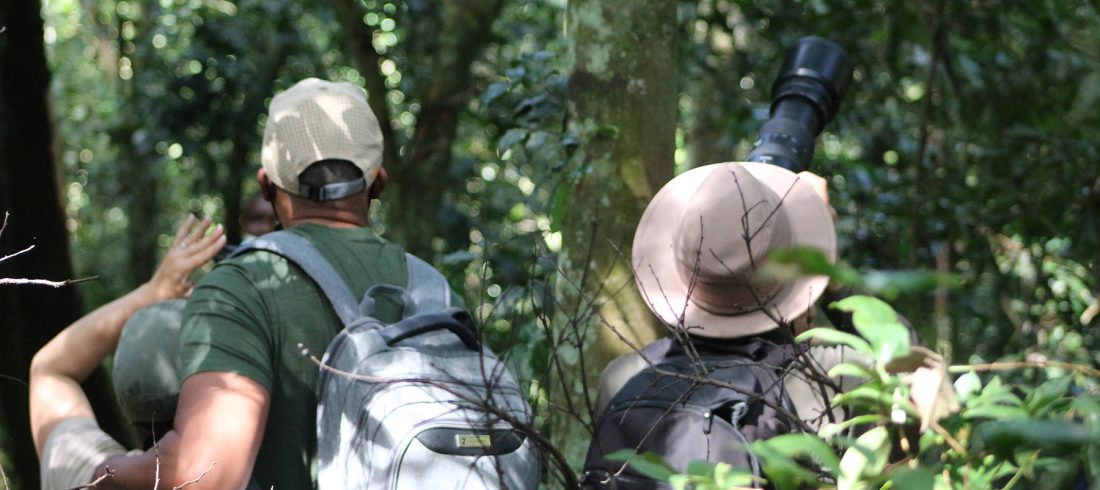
416,405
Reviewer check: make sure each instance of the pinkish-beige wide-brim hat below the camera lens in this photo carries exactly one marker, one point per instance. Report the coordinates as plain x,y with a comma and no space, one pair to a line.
705,237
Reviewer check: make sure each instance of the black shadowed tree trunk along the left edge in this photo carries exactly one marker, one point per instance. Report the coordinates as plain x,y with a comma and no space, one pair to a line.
29,191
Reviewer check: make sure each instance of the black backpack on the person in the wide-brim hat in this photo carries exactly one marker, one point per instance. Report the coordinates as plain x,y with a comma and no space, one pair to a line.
681,420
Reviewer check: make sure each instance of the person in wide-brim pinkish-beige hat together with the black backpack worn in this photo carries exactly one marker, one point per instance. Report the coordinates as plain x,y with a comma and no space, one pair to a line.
699,255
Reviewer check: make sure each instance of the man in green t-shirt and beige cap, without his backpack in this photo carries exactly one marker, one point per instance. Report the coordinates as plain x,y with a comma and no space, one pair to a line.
248,405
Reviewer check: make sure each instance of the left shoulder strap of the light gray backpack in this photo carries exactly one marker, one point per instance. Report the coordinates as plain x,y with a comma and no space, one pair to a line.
298,249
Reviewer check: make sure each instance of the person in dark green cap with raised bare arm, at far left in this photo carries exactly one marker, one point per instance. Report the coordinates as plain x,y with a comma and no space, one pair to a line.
69,441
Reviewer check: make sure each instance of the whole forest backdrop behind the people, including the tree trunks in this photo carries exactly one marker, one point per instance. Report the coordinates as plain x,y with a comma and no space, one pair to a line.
524,140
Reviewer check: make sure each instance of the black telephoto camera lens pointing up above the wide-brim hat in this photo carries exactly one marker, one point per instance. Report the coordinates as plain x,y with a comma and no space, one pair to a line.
805,99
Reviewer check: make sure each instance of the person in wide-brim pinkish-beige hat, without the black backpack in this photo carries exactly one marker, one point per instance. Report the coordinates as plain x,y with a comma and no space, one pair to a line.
698,253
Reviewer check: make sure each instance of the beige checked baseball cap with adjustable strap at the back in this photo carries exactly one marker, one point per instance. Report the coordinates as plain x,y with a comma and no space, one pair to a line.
316,121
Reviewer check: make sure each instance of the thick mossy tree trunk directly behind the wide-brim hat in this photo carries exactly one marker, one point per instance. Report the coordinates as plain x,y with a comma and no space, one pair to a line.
623,92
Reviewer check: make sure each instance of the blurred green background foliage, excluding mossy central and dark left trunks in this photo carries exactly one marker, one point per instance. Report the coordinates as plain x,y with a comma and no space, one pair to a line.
967,144
